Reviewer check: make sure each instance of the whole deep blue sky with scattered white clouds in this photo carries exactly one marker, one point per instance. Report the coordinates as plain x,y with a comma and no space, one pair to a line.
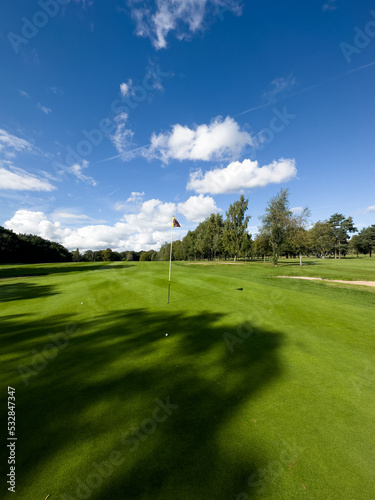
117,115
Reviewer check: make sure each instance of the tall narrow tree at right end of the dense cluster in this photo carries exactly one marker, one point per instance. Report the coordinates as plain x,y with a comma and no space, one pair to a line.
235,226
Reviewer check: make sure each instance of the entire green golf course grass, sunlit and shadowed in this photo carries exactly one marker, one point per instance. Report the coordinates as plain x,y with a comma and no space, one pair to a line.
263,388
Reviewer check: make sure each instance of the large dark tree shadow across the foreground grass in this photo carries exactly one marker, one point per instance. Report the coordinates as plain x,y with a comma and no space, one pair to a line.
98,392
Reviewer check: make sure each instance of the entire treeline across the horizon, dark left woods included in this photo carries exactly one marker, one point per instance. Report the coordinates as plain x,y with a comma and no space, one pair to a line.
282,233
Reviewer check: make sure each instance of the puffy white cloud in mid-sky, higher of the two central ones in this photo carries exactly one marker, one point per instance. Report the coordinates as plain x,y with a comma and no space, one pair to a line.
218,140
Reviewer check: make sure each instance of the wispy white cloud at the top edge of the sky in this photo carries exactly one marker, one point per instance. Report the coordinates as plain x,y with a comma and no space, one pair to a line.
183,17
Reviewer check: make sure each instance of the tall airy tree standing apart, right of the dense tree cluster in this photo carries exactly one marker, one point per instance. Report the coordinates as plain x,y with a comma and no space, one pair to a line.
276,222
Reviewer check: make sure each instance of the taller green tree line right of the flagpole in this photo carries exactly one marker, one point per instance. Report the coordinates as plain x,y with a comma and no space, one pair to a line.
282,233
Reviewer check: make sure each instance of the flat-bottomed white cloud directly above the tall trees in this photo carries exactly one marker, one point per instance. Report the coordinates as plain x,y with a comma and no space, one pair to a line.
237,176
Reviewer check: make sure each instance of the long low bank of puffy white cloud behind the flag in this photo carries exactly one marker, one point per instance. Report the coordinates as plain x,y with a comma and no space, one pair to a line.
148,227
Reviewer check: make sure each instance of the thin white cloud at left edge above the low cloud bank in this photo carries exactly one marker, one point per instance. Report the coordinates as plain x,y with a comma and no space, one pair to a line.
20,180
